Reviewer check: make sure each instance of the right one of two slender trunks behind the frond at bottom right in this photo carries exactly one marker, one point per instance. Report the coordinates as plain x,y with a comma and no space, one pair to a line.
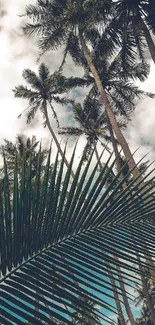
125,299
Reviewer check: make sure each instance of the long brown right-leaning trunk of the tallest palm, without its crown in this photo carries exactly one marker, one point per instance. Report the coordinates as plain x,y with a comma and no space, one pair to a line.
120,137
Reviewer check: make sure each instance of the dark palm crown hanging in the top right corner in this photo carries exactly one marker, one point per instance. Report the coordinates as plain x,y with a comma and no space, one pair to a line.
135,21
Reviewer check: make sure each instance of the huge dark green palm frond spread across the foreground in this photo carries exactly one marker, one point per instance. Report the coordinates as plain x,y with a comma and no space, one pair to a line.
55,245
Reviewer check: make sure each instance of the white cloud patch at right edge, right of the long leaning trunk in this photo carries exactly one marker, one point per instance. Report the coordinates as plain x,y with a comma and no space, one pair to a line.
141,131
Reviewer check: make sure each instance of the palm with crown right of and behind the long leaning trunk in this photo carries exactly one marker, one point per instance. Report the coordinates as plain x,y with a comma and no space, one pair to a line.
123,95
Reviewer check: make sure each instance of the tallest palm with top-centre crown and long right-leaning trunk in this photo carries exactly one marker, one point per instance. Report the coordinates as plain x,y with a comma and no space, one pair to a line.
70,24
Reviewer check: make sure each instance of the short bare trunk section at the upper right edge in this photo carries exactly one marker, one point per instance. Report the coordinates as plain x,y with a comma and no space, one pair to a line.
148,38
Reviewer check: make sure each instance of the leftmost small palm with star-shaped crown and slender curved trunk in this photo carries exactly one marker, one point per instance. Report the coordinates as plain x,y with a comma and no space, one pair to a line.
45,89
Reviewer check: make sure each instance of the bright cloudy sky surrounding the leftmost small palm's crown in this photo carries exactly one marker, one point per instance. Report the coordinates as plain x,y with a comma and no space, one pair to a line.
17,53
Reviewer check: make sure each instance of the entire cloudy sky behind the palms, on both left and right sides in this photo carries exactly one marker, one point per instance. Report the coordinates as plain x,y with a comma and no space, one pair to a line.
18,52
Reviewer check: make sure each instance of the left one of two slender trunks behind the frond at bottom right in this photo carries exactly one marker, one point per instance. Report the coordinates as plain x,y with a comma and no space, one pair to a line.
116,297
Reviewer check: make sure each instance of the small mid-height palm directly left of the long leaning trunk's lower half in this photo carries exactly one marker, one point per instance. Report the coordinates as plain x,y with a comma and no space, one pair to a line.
92,123
